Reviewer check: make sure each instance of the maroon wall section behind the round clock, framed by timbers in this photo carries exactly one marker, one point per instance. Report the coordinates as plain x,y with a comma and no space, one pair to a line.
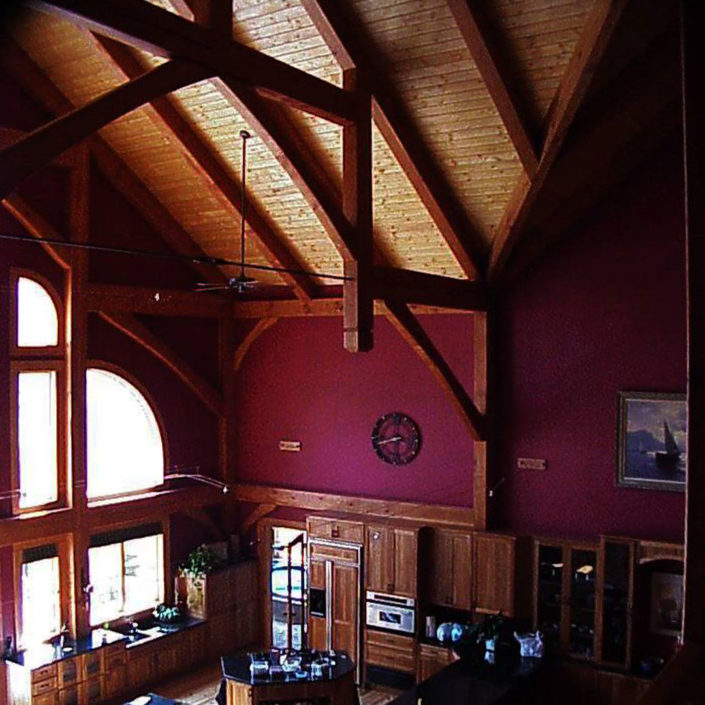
297,383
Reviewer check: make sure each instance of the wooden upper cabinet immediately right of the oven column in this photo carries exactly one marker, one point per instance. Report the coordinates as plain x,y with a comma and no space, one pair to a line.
448,558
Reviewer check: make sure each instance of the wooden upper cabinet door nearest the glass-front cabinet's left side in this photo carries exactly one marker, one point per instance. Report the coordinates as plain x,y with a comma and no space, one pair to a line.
494,574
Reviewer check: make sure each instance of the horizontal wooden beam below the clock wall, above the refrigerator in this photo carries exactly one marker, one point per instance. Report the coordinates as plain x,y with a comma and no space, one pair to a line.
323,502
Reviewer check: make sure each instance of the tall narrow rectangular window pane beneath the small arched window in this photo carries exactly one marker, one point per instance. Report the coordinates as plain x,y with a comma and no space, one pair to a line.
37,437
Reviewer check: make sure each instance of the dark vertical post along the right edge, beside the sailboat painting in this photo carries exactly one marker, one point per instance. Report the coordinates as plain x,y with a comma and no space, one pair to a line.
692,23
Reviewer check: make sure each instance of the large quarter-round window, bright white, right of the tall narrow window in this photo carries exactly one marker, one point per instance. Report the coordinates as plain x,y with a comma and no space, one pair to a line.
125,452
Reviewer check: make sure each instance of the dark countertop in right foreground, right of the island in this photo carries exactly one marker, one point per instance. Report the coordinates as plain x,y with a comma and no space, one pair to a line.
471,680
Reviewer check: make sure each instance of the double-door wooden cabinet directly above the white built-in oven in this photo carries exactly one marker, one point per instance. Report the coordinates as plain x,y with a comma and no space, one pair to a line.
391,557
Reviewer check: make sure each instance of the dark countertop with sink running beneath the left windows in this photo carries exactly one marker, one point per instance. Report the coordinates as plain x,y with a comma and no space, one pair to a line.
45,654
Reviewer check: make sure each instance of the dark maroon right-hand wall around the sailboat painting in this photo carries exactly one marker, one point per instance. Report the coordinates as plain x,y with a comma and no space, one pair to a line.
604,312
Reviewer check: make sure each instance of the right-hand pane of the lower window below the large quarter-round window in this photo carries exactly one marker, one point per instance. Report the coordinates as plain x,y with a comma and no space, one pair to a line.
144,581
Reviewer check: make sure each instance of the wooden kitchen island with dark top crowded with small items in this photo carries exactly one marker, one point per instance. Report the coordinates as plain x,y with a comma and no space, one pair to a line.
335,685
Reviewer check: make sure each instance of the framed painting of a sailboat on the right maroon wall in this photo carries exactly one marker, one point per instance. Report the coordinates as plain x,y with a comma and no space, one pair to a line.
651,440
